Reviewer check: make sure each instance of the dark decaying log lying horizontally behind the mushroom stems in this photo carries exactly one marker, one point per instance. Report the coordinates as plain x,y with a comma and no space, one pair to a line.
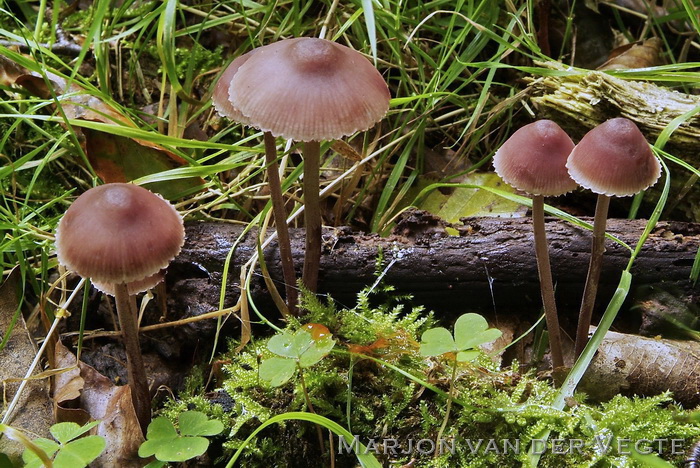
491,263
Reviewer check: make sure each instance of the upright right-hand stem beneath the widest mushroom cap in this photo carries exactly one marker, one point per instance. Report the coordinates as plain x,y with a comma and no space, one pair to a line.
312,210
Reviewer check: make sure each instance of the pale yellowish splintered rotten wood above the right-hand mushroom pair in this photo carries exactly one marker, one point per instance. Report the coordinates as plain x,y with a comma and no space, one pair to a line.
580,101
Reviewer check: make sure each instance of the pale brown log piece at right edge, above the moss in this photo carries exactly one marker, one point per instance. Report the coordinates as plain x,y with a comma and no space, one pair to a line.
635,365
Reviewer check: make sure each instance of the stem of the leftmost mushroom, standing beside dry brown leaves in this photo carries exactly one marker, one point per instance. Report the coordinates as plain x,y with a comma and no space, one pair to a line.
136,372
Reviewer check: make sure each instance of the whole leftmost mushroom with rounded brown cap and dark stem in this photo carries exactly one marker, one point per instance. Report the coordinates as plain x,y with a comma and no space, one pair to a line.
122,236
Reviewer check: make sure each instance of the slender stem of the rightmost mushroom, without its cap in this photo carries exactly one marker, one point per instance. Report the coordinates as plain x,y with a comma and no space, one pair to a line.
594,267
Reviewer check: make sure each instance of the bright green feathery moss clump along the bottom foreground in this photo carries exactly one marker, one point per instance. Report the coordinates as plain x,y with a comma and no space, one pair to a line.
373,385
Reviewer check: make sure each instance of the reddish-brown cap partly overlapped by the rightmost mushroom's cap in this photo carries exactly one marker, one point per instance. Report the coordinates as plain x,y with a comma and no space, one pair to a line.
533,159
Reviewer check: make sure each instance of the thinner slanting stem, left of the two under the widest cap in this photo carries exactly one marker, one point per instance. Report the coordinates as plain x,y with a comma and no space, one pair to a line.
285,245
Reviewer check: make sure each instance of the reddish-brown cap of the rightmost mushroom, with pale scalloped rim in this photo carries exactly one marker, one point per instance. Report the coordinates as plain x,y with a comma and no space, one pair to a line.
614,159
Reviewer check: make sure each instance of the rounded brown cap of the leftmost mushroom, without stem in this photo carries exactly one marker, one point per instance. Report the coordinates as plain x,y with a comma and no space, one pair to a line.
119,233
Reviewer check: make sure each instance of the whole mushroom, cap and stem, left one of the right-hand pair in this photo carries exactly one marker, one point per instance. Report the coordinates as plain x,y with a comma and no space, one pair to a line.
533,160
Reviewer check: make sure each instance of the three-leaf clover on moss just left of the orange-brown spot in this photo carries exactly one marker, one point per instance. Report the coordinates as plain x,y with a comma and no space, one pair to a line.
298,350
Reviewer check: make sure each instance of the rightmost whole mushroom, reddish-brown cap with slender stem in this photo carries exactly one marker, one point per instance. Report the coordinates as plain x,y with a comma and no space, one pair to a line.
613,159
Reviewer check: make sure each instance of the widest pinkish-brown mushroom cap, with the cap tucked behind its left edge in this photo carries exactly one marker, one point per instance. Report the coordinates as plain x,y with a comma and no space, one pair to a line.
306,89
